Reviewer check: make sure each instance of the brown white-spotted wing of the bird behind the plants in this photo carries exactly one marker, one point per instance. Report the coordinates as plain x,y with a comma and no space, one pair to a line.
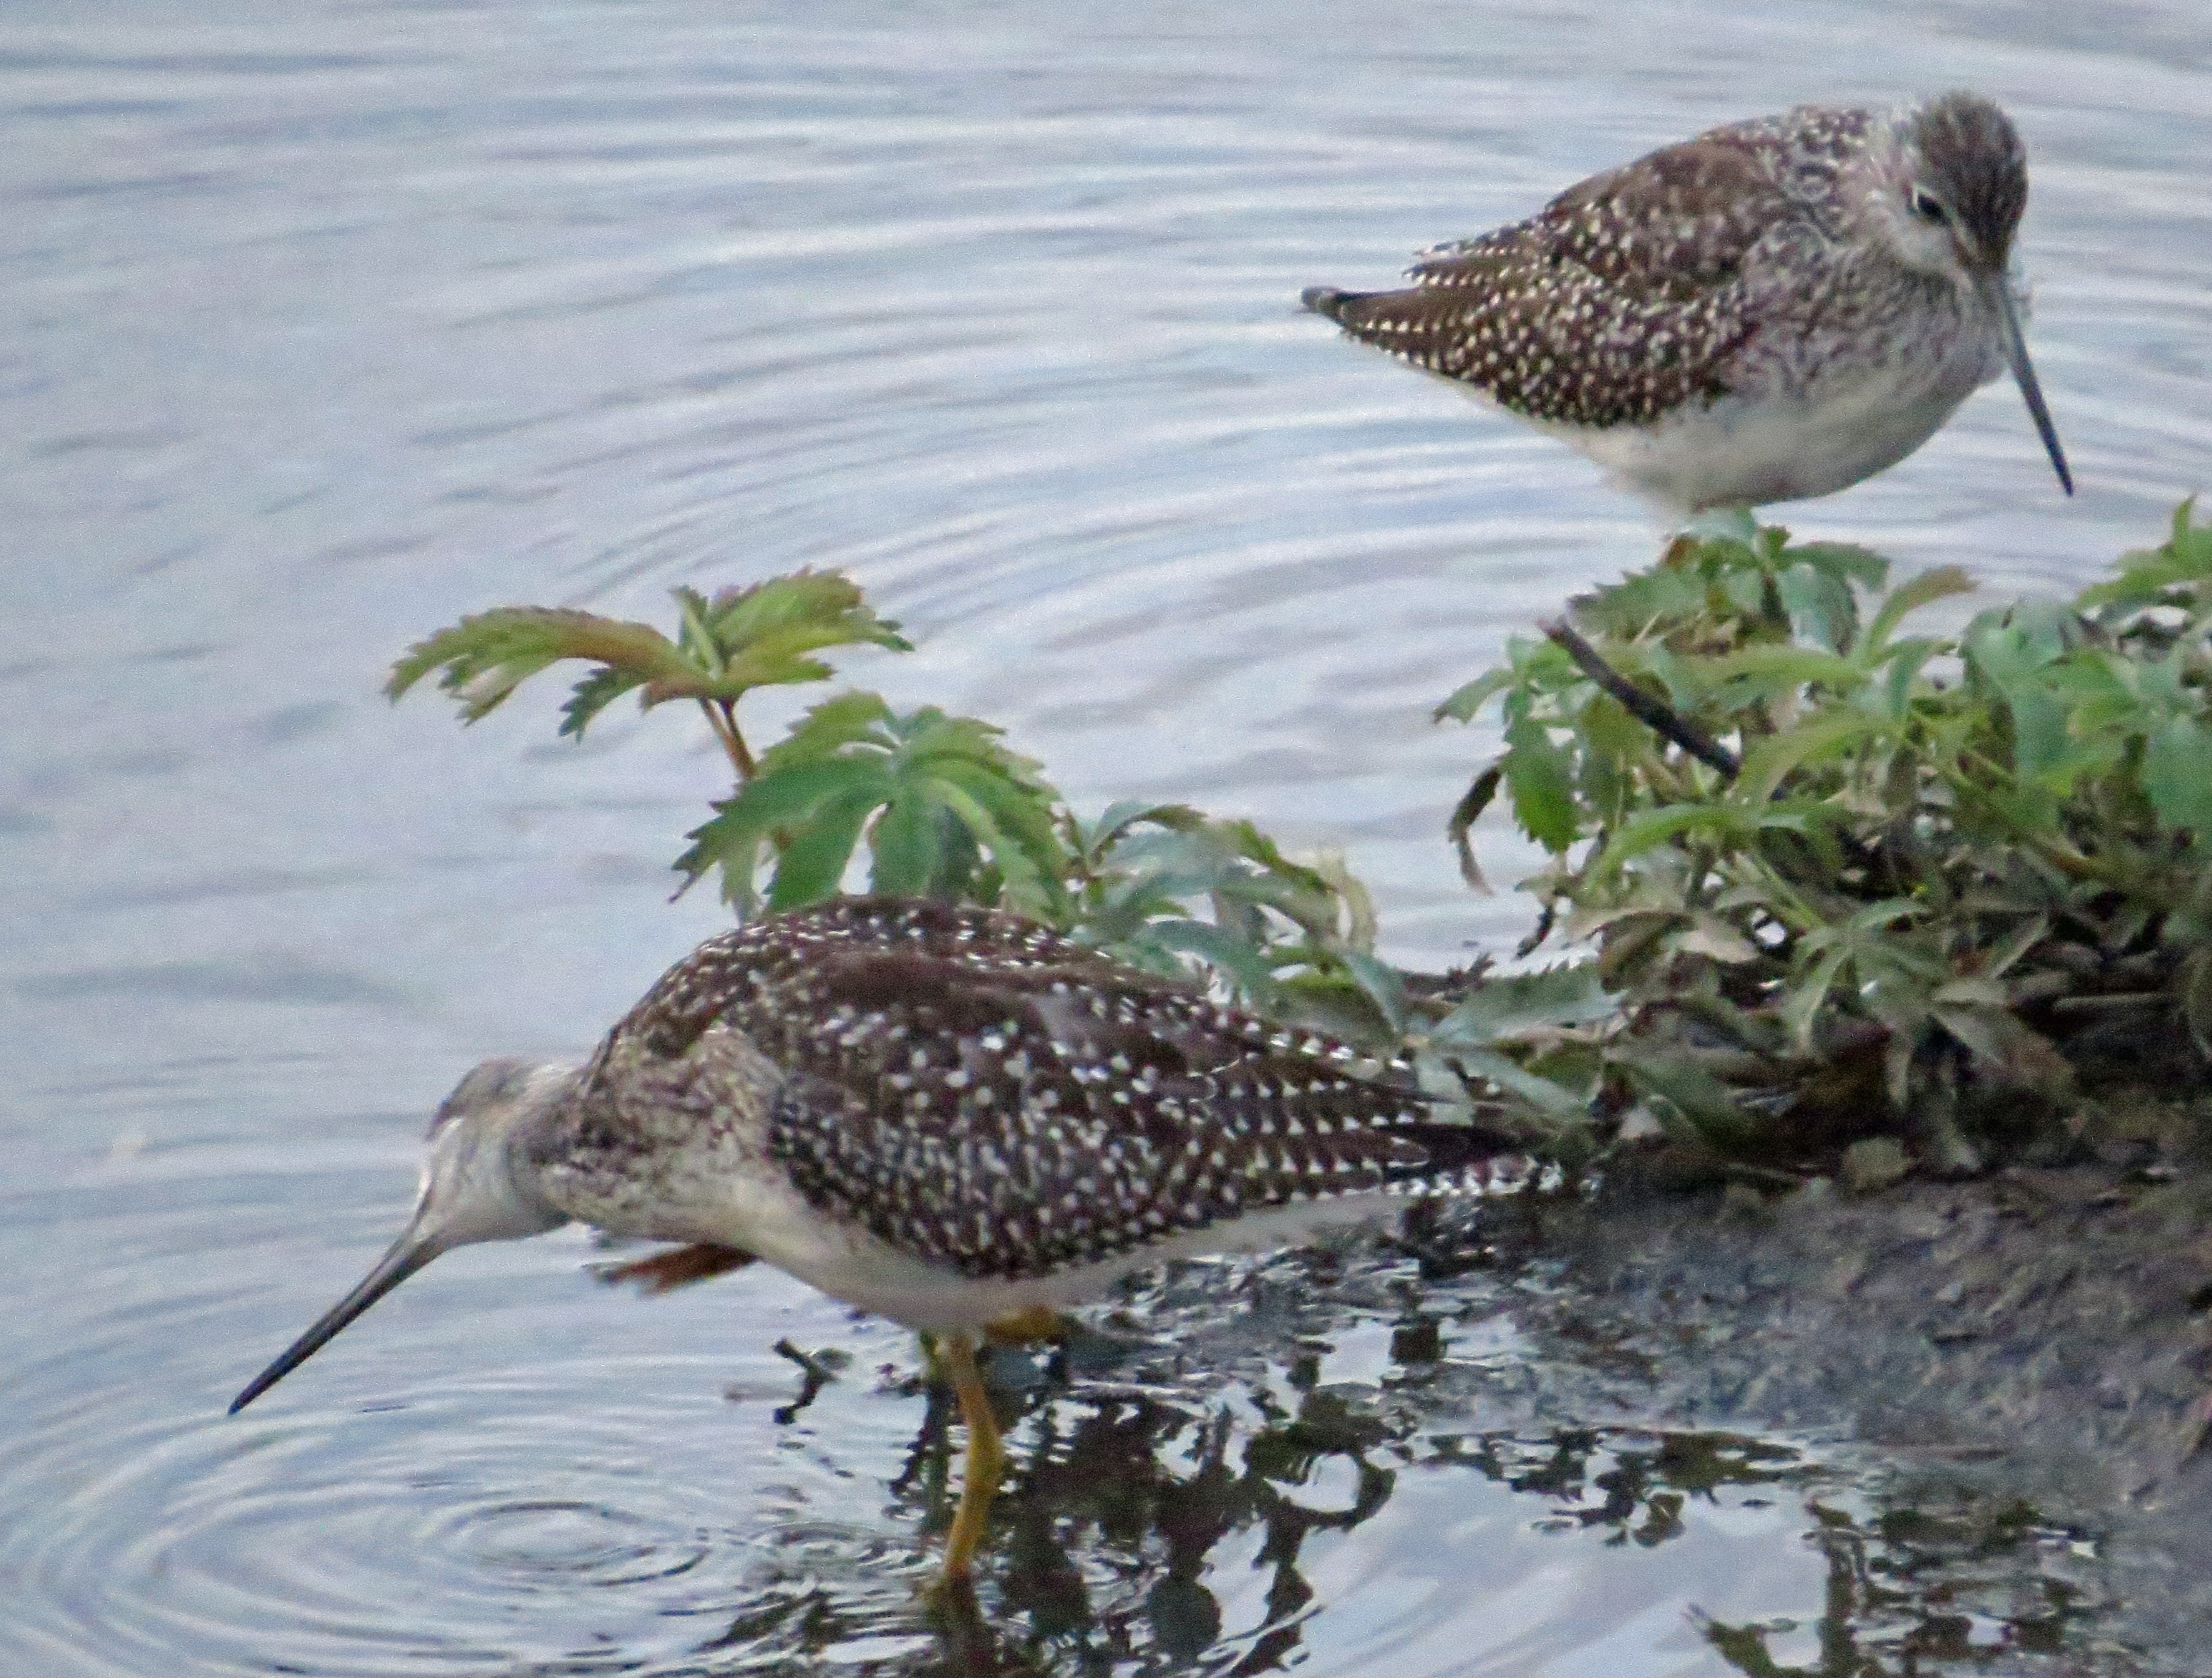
1625,297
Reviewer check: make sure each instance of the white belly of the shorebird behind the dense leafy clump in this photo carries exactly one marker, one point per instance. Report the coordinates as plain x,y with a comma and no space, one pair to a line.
1784,448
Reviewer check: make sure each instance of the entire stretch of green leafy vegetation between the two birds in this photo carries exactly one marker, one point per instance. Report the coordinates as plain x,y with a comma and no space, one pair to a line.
1861,896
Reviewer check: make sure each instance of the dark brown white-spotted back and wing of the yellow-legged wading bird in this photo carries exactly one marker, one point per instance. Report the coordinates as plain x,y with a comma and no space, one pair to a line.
994,1098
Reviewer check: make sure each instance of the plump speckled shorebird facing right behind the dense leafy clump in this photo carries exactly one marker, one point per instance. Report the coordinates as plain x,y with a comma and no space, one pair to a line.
1764,313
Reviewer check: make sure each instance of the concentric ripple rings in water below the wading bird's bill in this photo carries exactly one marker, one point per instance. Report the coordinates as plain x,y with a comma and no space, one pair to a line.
437,1538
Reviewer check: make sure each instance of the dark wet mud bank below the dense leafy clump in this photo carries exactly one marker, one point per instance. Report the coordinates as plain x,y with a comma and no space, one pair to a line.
2047,1332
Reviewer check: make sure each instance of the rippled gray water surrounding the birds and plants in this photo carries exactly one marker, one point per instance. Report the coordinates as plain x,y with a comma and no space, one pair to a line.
328,324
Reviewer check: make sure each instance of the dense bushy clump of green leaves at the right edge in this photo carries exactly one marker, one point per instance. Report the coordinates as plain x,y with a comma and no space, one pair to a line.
1837,870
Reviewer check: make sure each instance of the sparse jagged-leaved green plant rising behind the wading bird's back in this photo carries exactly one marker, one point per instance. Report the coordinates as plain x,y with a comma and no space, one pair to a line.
937,806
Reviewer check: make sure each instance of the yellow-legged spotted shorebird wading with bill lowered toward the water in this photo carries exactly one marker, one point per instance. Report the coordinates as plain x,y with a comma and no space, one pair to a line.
952,1118
